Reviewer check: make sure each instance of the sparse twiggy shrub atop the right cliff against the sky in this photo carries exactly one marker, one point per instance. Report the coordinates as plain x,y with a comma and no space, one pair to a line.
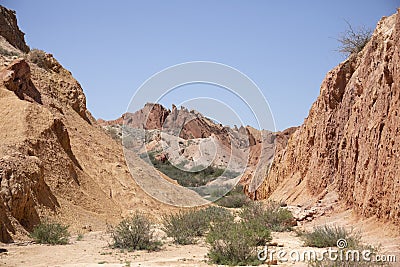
353,41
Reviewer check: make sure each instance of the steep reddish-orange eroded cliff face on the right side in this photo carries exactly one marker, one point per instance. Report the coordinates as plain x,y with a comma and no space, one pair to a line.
350,140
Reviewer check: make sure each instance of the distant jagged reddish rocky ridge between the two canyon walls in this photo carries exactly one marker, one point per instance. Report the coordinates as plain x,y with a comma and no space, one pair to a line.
199,141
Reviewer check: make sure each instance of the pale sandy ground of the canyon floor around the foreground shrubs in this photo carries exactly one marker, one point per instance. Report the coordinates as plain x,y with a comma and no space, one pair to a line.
94,249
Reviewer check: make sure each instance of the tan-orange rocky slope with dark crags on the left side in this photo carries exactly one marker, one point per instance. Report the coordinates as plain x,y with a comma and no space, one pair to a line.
55,161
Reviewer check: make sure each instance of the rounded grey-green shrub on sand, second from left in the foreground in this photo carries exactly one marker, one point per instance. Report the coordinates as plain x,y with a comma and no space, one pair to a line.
134,233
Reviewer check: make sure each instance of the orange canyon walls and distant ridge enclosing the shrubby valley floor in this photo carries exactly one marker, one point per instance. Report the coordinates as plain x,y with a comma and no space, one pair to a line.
57,161
